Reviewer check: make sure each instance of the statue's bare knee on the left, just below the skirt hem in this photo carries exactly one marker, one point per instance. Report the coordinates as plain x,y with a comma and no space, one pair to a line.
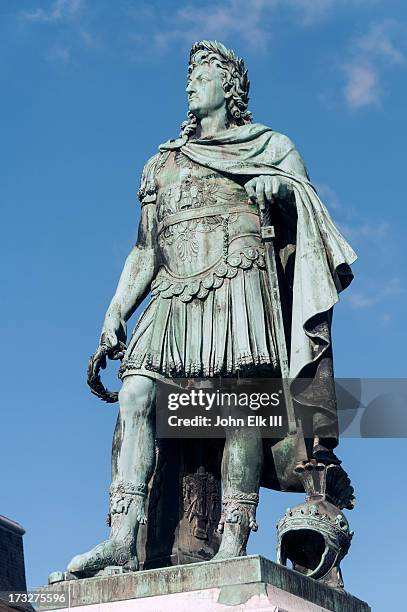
136,396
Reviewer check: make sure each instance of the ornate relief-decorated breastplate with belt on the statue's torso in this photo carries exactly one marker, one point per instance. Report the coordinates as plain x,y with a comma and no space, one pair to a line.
200,213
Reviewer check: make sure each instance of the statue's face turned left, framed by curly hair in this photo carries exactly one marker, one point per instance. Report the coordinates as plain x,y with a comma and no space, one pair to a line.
205,91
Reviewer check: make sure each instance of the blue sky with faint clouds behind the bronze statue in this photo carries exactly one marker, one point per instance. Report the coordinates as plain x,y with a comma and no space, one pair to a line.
89,89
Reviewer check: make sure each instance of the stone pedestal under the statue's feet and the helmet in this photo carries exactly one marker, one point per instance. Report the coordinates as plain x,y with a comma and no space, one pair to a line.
240,584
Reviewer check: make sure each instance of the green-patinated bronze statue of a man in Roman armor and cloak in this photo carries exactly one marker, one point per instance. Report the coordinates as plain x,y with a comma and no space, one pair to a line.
202,254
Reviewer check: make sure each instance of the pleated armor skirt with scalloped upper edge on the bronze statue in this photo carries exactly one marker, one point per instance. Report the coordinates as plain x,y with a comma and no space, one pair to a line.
218,324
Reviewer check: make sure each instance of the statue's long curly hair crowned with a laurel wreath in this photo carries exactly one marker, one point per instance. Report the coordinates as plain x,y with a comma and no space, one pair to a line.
234,81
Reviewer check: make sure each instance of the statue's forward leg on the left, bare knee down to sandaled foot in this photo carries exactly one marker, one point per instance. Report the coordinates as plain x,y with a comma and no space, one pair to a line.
133,458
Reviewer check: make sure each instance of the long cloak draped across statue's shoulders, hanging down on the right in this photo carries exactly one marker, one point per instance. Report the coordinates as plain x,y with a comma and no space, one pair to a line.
312,282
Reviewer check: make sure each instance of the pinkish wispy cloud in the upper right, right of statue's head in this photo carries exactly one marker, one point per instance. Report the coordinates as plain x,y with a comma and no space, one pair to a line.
370,55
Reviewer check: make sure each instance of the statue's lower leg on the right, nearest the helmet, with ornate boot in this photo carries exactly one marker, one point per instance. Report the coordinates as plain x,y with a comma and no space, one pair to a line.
241,468
